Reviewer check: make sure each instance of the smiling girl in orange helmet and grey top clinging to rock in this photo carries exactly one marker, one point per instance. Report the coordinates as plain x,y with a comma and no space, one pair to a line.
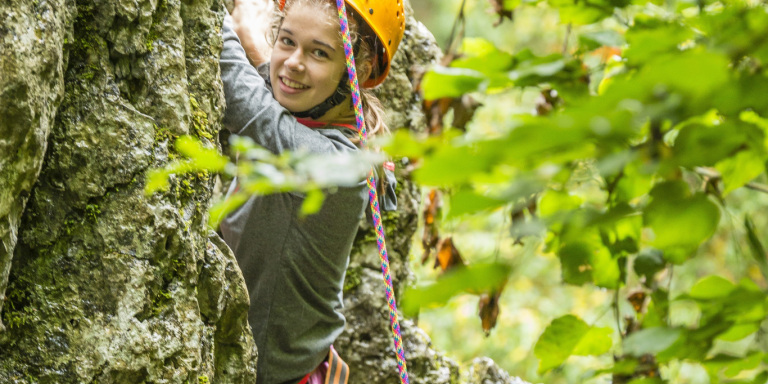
294,268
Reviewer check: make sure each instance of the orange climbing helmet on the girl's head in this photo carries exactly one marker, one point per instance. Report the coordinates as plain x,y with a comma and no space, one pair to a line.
387,20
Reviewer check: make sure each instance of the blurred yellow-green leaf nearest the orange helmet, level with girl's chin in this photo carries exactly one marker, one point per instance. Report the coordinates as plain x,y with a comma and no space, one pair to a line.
440,82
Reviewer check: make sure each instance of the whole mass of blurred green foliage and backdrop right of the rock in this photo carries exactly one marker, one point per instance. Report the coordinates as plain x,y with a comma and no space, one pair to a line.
635,133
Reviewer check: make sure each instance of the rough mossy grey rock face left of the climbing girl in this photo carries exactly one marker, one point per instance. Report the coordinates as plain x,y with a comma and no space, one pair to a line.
106,284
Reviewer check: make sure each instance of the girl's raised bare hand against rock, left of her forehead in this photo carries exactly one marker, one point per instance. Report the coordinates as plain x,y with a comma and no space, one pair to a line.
252,21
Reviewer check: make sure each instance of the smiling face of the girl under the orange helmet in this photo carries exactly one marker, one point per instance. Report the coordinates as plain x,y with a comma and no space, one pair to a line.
308,58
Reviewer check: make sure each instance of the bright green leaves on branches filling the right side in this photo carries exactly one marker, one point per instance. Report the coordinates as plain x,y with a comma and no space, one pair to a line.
648,120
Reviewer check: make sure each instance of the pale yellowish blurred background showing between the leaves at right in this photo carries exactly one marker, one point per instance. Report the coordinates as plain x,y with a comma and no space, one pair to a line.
535,293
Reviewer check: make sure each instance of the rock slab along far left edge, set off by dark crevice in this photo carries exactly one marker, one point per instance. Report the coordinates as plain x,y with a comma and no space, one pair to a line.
31,86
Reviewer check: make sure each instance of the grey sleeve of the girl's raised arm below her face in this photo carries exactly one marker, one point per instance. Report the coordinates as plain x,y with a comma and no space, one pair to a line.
251,109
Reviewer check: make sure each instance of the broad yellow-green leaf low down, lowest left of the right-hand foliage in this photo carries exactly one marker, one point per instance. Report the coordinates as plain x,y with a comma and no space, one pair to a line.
568,335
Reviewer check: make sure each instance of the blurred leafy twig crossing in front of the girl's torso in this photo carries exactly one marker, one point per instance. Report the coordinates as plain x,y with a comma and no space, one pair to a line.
261,172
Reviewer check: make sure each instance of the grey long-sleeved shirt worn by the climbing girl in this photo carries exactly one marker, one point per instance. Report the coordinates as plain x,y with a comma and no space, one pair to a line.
294,268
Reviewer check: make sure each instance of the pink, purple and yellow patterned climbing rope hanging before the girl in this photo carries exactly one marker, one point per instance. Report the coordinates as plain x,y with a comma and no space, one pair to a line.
372,195
